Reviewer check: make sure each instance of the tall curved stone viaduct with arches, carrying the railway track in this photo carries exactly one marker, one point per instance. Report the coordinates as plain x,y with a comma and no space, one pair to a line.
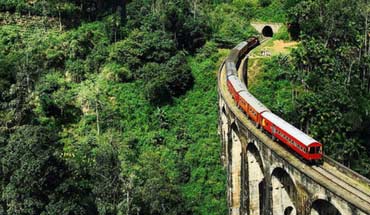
264,178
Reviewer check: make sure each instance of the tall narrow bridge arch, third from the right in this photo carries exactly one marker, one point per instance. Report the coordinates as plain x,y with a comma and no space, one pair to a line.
255,180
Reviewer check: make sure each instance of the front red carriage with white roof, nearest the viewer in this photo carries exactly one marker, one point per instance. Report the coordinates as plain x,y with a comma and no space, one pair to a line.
301,143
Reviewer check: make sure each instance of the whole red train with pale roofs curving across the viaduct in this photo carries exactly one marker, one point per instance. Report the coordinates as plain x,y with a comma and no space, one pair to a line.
304,146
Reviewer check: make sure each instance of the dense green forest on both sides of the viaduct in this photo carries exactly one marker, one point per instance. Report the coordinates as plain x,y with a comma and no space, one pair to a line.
110,107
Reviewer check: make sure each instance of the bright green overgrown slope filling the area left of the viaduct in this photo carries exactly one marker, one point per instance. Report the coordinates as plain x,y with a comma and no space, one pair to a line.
110,107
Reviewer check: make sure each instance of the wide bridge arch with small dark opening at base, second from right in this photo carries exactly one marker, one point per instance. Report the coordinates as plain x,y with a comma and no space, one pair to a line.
284,193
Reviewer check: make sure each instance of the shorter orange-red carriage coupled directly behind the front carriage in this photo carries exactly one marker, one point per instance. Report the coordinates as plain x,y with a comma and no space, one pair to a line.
252,107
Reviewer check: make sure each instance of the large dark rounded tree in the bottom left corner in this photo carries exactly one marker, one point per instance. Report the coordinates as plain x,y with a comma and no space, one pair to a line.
32,169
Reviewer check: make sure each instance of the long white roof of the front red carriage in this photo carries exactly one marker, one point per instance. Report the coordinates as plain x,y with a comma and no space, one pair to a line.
290,129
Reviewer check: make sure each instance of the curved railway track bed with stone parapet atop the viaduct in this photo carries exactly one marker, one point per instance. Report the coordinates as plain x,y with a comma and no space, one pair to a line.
335,177
